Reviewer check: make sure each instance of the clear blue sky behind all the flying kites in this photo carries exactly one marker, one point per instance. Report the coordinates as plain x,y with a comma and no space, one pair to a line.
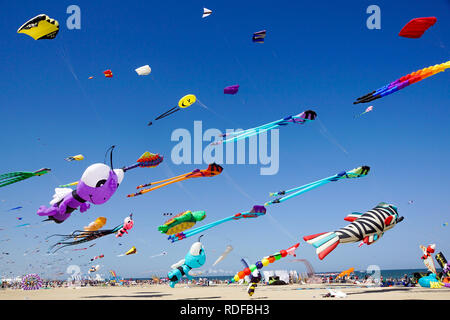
318,56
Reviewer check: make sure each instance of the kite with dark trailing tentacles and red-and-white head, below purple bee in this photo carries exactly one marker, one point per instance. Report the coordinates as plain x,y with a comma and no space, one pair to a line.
87,236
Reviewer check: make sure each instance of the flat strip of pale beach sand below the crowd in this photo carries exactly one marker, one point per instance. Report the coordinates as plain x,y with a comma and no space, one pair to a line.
227,292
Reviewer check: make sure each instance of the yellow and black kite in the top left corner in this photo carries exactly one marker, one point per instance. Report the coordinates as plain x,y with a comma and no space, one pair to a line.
40,27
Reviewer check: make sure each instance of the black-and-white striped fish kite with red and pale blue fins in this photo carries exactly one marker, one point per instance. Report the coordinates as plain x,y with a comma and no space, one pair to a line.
368,228
